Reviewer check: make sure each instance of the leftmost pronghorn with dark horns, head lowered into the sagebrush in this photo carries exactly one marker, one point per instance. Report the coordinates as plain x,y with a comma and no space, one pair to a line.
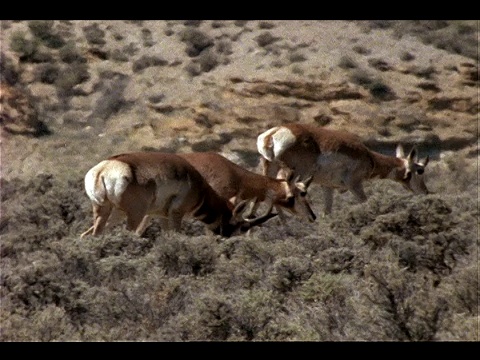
144,183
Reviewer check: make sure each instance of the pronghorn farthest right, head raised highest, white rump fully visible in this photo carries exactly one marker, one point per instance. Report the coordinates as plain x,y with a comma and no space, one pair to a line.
339,160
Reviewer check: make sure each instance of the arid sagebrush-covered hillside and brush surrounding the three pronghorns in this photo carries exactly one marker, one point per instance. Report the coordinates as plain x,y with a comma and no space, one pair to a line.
396,268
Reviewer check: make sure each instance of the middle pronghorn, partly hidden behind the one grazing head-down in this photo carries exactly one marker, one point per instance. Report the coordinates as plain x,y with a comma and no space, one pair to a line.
234,183
